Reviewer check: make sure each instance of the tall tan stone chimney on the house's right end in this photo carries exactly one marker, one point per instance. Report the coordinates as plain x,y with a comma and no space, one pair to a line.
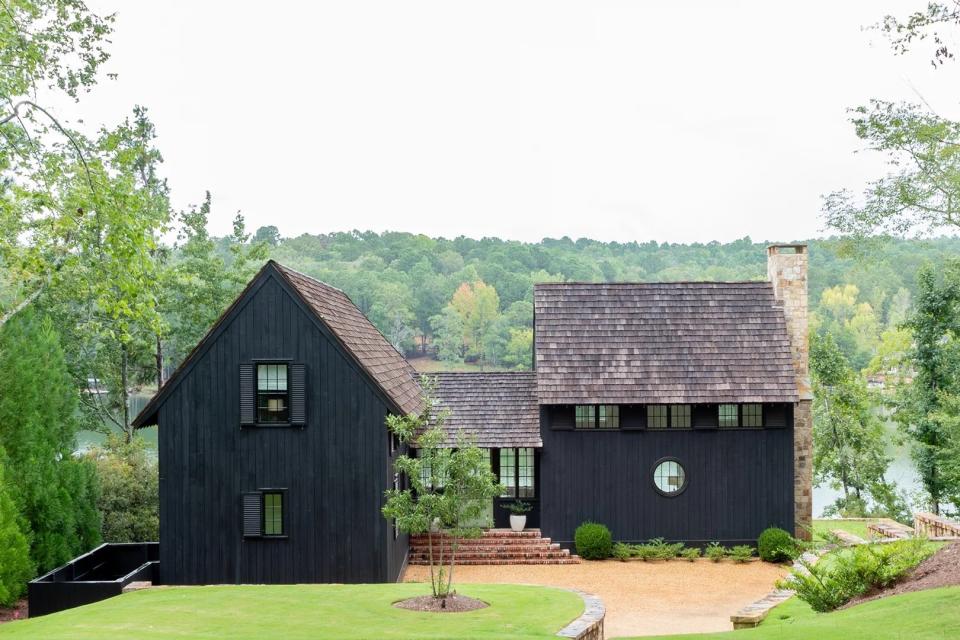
787,271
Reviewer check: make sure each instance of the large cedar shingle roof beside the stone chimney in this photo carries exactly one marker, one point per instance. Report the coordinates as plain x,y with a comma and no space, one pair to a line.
661,342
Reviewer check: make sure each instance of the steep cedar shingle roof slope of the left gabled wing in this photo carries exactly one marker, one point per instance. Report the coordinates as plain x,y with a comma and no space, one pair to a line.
373,351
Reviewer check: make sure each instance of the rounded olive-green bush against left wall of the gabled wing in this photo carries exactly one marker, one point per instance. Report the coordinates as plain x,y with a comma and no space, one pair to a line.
129,500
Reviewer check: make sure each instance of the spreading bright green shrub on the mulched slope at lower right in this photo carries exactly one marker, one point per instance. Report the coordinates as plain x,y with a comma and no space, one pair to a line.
848,573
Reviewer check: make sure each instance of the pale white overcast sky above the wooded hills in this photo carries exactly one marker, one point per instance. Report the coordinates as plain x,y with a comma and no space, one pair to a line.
680,122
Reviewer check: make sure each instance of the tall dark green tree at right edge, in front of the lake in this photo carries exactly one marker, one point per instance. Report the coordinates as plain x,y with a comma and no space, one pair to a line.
923,407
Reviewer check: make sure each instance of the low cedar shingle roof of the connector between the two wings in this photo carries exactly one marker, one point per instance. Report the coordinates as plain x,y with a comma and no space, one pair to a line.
498,409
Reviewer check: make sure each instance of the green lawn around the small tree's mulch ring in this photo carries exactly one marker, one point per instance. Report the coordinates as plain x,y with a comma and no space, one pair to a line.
305,611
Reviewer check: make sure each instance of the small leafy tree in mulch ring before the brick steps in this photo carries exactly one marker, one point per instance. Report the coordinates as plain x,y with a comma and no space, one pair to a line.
449,489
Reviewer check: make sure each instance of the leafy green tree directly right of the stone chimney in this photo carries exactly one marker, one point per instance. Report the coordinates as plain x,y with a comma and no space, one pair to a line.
849,439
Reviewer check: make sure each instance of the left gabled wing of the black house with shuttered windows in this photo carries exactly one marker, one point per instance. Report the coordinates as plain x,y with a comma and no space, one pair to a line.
273,451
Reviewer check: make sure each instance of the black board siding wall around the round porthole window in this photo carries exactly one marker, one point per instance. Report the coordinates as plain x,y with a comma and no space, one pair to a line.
739,481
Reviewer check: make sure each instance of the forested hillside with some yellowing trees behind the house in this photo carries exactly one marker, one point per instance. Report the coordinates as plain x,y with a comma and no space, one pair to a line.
469,302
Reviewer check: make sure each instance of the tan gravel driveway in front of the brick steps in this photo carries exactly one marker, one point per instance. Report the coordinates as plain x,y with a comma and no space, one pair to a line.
643,598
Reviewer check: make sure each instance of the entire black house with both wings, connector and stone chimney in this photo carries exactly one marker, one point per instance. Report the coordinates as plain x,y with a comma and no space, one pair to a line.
675,410
